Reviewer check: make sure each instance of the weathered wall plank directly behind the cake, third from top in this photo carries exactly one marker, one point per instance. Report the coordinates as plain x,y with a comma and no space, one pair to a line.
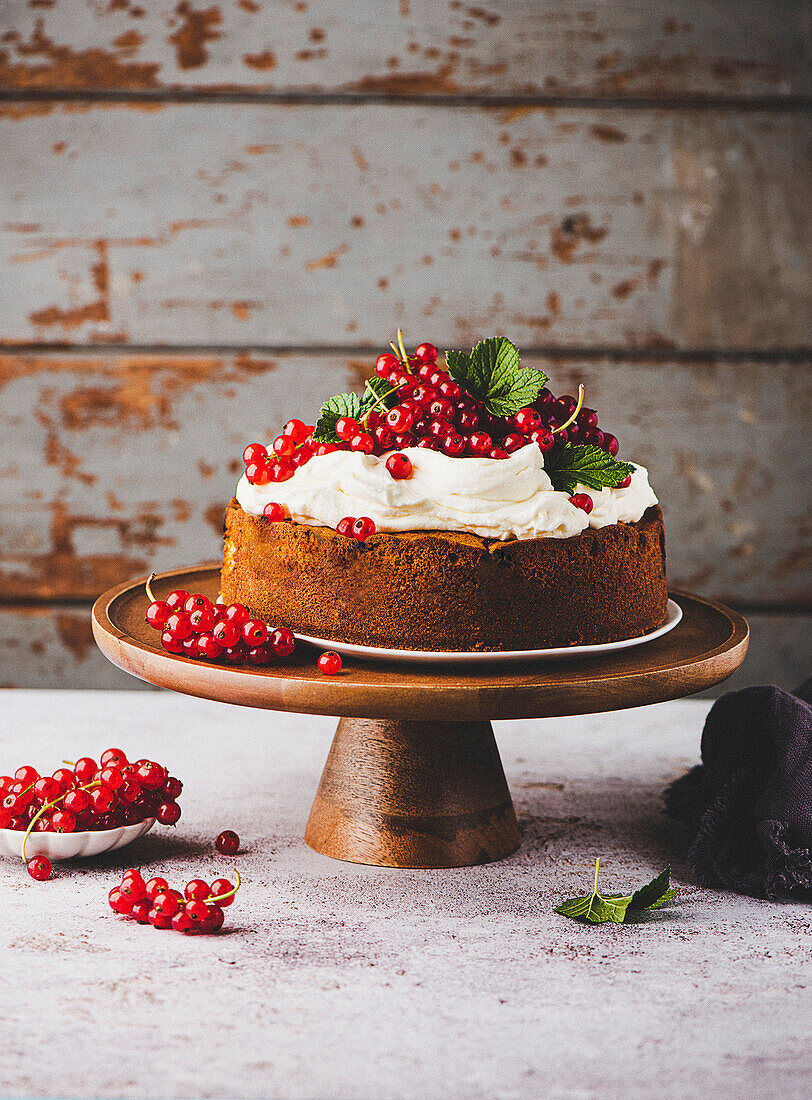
113,465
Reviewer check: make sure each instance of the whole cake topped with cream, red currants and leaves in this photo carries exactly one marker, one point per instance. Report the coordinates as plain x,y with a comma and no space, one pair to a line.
453,510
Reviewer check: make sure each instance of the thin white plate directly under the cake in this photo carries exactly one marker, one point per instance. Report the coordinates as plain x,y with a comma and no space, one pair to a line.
507,657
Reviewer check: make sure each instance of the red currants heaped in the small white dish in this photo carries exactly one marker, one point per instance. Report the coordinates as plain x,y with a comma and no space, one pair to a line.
89,797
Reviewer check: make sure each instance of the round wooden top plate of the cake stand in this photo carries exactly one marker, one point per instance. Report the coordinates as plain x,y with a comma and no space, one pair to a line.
704,650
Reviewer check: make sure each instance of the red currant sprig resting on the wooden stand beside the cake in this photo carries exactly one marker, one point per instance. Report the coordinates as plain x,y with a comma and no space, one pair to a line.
191,625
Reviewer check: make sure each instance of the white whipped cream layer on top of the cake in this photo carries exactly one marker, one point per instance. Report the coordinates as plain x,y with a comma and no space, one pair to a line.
496,499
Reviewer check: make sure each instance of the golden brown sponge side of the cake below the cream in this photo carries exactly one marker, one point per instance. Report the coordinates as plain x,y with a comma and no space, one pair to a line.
449,591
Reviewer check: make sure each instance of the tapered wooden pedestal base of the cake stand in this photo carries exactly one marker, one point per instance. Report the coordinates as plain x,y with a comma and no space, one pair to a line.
401,794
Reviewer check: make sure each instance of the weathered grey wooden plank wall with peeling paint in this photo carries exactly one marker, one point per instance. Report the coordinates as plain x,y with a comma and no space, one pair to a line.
212,213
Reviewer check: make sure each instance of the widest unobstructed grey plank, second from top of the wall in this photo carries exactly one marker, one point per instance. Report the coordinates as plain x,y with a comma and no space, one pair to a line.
304,225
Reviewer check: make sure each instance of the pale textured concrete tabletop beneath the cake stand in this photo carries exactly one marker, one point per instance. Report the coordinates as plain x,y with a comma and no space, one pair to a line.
337,981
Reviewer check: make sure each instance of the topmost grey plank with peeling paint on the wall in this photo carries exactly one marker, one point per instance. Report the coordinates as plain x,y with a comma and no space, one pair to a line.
418,48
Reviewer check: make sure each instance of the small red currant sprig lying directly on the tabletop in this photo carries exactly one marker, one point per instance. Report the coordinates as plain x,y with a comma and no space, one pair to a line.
200,909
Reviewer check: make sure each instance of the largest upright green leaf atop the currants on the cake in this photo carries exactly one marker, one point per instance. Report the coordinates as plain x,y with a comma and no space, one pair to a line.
492,375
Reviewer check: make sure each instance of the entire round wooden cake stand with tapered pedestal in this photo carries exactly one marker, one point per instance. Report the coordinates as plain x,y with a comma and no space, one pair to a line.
414,777
